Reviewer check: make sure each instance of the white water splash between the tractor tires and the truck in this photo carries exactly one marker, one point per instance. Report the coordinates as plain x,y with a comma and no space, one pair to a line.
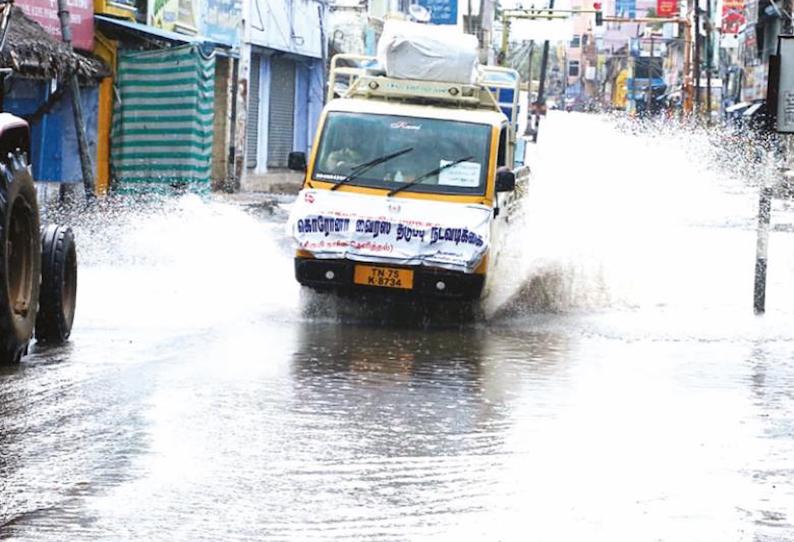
179,263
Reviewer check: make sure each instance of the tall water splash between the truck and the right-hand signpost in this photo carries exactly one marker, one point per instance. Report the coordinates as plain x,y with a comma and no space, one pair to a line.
627,217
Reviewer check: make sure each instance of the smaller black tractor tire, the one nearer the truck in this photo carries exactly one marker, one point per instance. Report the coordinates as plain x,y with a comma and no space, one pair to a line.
57,300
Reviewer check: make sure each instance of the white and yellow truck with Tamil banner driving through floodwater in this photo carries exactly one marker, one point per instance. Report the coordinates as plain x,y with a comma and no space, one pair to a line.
410,184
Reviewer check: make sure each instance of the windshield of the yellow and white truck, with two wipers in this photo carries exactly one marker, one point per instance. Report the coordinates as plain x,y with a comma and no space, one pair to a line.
352,139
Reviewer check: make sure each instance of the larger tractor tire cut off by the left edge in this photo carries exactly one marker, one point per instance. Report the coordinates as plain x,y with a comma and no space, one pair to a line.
20,260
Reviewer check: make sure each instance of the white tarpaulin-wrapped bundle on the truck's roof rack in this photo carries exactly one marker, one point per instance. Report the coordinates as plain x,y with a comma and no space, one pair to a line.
427,52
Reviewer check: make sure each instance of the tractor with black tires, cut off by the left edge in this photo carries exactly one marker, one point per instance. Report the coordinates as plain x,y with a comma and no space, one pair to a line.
38,269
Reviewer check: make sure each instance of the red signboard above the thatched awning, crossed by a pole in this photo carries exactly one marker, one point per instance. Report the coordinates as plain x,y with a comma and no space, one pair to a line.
81,14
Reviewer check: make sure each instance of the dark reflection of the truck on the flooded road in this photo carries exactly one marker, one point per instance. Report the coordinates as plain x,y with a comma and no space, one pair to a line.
406,393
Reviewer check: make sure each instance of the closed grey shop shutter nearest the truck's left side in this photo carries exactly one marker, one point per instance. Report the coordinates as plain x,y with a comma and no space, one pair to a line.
282,111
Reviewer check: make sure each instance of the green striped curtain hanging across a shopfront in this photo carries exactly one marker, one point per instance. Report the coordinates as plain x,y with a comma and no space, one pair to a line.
162,120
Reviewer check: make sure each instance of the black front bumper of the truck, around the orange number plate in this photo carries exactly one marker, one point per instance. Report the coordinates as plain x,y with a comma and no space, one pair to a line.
315,273
